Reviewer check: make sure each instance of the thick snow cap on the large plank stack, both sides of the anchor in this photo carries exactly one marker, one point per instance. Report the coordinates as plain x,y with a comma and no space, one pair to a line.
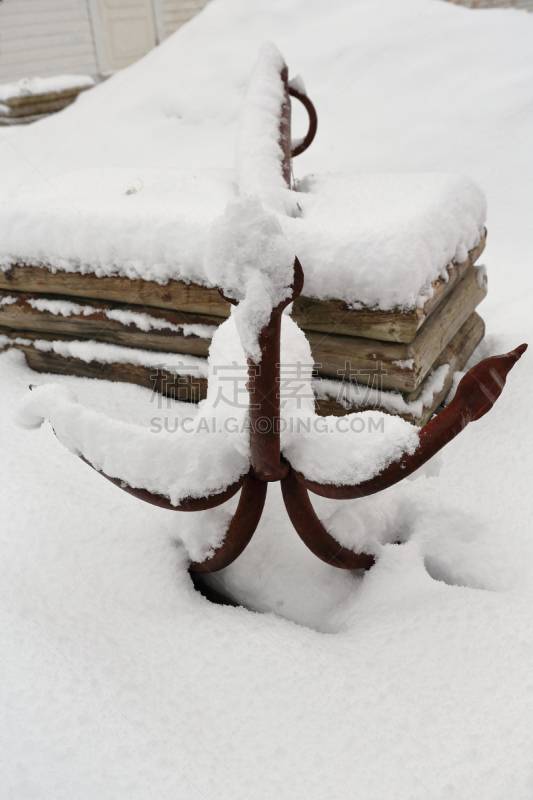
380,240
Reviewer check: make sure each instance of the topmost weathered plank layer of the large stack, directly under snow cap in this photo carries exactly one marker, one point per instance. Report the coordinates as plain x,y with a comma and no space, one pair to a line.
329,316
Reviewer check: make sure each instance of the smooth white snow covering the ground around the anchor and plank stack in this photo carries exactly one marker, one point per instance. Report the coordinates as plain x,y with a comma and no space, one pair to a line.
117,679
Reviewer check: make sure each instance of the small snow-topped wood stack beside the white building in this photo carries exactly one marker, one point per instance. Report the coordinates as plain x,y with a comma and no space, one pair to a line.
31,99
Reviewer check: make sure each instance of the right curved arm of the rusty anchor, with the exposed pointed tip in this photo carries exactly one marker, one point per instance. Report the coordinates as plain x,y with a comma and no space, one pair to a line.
476,394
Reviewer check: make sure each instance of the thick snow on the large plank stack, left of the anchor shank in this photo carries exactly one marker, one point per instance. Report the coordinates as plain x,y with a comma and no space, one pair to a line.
139,223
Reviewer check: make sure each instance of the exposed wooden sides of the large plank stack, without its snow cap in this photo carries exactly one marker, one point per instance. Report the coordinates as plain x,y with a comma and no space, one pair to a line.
394,355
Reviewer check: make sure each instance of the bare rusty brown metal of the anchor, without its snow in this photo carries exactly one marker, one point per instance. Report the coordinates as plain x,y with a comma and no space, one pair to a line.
476,394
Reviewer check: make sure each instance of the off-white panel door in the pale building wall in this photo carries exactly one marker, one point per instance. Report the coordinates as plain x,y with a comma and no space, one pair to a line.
128,28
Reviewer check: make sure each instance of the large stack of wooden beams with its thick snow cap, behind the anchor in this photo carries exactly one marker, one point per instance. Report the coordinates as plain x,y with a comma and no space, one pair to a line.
104,271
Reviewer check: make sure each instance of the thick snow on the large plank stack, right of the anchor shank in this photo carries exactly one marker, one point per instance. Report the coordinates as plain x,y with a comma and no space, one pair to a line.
381,240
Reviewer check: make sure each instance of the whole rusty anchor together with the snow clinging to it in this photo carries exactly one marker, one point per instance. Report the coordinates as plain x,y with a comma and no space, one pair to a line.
255,267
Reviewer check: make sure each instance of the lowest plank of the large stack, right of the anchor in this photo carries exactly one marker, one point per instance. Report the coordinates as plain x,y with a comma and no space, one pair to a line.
456,354
